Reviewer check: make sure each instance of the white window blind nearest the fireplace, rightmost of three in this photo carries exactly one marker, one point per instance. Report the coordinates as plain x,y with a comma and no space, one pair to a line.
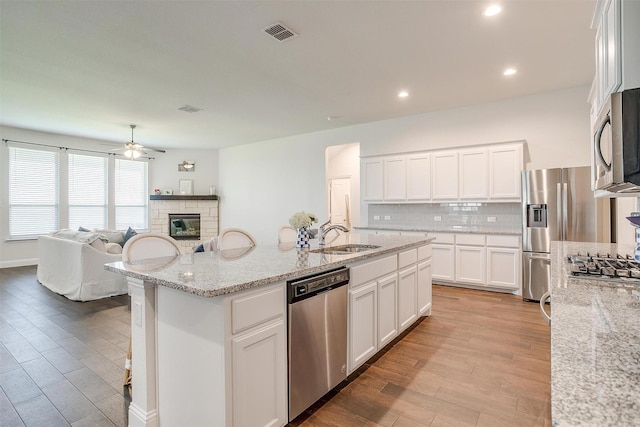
131,197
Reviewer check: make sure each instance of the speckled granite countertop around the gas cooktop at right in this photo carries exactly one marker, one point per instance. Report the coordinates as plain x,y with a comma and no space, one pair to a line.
595,344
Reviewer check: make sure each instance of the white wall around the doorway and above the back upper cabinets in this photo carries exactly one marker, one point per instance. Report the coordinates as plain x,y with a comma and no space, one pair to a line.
262,184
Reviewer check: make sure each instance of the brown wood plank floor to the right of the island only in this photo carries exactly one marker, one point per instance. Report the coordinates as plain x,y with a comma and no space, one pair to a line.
481,359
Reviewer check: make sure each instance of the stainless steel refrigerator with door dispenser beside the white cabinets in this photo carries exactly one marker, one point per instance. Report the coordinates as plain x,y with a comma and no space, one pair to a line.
557,204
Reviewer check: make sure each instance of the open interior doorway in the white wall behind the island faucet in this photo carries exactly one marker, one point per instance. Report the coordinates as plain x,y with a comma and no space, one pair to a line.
342,163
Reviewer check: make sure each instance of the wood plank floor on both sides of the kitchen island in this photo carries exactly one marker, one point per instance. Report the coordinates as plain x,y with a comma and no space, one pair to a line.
481,359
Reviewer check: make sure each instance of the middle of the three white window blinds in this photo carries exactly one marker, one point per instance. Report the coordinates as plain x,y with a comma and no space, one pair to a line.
87,191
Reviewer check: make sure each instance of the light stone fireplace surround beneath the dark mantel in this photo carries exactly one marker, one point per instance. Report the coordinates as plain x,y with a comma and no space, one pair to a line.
159,211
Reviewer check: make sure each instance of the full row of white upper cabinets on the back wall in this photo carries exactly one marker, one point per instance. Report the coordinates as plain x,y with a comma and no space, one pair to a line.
487,173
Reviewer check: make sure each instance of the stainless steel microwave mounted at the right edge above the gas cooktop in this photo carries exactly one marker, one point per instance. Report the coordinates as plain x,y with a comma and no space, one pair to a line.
616,144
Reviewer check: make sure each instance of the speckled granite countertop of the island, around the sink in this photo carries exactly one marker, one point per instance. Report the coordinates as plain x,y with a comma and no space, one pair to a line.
210,274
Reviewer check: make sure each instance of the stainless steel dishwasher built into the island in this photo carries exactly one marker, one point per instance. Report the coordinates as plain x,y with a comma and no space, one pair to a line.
317,336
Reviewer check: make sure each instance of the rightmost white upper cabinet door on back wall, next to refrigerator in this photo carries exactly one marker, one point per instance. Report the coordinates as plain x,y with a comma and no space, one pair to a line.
505,166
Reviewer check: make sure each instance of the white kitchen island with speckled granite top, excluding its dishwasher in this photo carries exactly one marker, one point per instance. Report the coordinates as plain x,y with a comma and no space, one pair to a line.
209,338
